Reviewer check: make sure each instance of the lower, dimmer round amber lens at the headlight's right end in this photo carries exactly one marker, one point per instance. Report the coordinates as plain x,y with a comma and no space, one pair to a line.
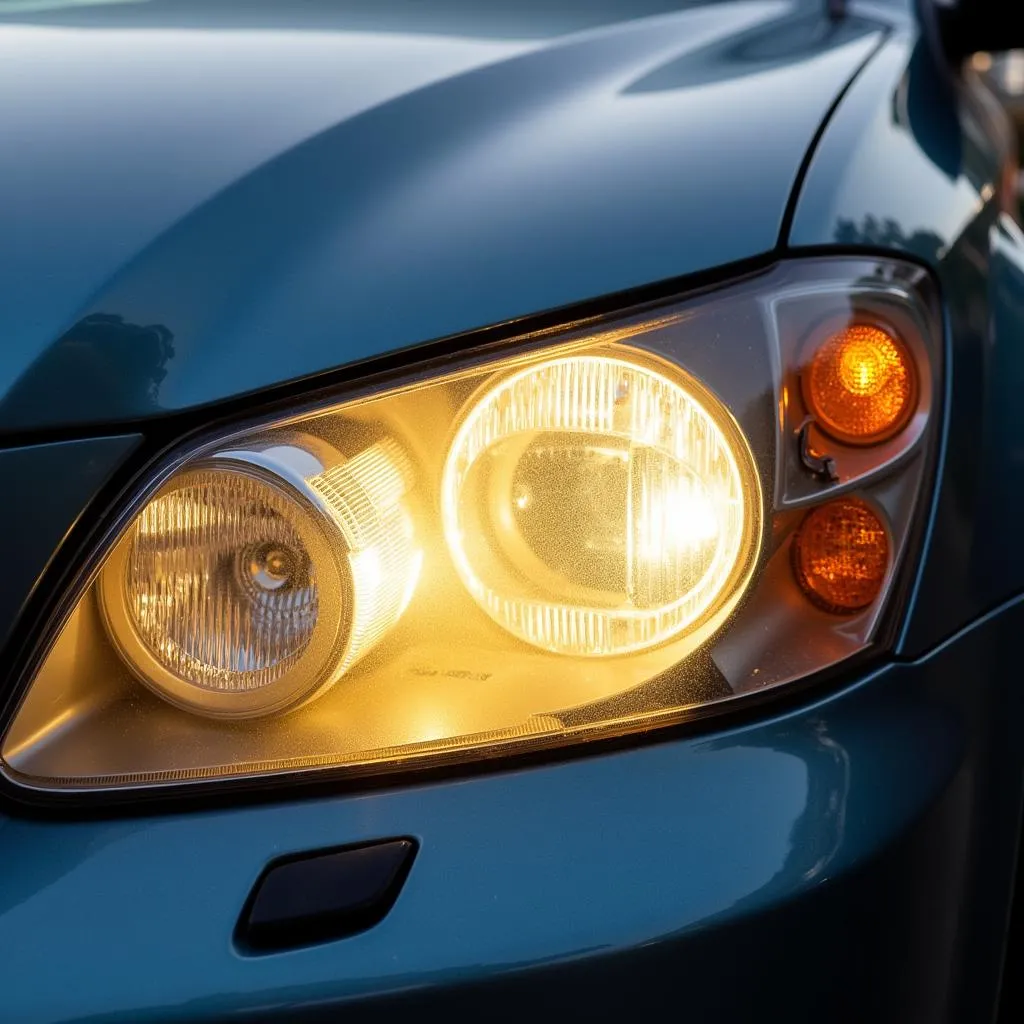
841,556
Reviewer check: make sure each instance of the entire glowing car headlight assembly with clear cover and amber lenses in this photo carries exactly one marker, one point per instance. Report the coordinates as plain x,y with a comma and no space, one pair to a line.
625,525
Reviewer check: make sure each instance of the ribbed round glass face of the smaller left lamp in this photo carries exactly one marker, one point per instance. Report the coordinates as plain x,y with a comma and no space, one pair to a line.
220,584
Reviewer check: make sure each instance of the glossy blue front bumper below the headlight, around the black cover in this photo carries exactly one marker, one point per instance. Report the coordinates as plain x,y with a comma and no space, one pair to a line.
848,861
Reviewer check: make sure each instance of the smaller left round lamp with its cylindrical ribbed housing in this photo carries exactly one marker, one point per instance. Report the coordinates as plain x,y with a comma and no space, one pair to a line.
257,579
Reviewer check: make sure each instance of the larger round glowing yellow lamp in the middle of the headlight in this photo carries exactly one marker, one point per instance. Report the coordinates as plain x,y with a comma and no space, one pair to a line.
594,506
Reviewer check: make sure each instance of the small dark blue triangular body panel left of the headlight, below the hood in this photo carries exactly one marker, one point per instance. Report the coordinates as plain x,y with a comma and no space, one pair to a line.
47,489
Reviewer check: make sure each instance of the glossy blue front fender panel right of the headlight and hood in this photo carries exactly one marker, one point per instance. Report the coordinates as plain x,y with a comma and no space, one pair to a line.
912,164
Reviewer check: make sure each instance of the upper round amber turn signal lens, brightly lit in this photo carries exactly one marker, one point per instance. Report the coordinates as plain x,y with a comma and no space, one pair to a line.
862,385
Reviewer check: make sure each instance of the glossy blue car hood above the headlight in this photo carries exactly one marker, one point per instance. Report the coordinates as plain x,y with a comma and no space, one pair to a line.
200,201
